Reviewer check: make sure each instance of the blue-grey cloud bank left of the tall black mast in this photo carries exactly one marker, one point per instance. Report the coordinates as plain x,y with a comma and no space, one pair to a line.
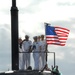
5,46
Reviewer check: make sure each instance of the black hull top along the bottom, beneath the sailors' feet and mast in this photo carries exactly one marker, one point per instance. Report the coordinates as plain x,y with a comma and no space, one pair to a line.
25,73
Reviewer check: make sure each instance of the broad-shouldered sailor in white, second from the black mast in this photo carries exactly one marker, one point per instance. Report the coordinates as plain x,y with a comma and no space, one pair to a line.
26,46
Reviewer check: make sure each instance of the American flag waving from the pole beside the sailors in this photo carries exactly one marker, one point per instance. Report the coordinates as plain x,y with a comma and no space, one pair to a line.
56,35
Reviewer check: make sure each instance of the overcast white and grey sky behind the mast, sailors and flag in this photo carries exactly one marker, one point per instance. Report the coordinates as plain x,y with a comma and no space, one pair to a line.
32,15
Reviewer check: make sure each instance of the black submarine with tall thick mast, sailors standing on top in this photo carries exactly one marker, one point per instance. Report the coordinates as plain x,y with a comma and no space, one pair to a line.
15,49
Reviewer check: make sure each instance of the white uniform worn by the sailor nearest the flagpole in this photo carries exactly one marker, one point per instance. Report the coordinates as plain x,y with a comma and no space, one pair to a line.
43,55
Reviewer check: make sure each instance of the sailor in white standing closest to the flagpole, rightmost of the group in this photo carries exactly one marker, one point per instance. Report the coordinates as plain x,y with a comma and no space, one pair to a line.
43,50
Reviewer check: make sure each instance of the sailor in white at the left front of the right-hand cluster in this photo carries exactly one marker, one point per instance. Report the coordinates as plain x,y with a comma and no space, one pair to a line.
36,50
